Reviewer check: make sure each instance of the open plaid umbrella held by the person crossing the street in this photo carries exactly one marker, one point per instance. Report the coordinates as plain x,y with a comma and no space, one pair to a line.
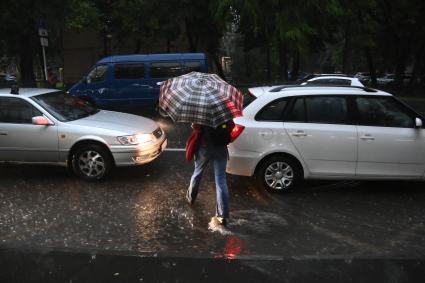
200,98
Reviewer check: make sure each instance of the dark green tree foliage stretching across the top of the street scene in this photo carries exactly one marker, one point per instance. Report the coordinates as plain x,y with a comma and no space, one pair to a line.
393,32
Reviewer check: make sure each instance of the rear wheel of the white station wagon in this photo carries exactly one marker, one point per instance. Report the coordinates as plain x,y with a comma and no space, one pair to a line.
279,174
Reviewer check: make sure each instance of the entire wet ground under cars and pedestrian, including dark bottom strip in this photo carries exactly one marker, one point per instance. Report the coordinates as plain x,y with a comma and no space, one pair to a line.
137,226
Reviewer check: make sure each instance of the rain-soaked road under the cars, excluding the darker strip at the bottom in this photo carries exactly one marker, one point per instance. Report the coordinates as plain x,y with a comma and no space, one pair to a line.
142,211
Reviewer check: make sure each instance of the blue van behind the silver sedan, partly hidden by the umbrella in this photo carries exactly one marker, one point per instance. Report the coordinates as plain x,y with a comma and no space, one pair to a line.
132,79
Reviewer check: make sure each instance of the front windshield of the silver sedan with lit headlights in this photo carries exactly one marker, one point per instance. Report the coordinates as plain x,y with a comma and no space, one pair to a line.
64,107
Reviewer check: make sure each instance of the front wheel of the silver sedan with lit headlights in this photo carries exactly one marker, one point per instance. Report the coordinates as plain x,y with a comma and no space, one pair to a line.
91,162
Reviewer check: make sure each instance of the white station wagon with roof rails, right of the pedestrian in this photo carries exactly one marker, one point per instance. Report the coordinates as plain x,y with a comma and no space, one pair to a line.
297,133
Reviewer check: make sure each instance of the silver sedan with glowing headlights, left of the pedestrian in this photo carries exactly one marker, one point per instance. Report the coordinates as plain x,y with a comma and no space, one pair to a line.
45,126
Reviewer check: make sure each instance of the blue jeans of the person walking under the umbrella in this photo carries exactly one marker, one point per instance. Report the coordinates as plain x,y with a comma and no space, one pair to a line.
218,155
